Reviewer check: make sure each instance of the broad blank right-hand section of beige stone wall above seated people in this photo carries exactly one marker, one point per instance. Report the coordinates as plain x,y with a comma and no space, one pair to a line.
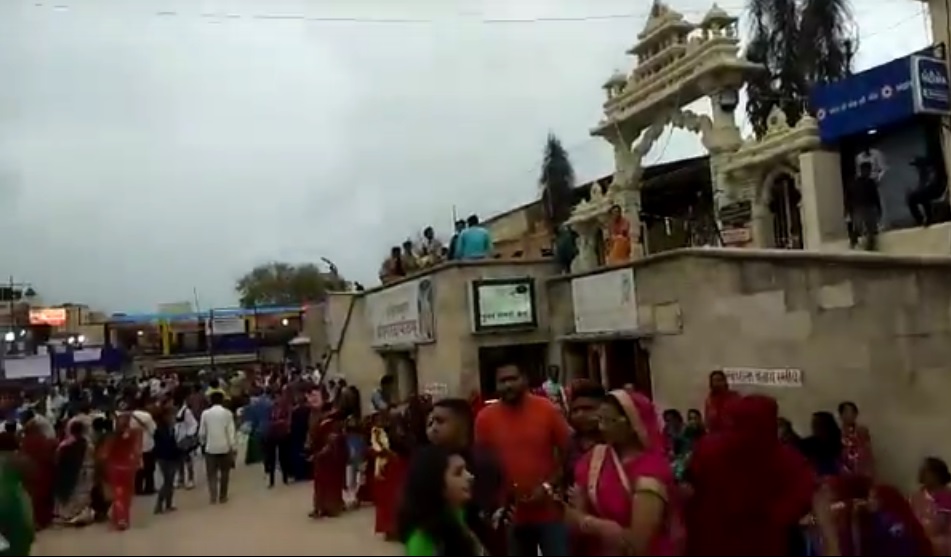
868,328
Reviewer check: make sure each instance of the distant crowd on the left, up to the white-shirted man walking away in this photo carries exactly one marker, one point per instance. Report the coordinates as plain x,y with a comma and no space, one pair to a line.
80,454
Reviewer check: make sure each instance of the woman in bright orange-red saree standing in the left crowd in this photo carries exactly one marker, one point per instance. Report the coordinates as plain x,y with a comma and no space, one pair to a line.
123,458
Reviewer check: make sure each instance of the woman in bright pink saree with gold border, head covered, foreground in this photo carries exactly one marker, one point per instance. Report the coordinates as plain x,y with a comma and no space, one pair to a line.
625,494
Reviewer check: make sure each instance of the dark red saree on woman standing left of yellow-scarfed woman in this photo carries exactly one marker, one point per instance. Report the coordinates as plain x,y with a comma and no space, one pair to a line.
330,465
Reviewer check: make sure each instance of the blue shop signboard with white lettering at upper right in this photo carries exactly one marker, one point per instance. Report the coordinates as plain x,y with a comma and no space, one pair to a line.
880,96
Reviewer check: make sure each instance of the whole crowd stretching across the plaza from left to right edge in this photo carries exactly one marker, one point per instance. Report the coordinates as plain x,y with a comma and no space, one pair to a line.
573,470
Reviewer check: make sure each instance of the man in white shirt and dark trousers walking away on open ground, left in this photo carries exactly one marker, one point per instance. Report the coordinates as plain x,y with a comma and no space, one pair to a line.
218,437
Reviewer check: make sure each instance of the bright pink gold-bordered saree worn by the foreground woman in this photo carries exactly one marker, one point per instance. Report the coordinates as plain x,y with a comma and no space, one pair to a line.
608,482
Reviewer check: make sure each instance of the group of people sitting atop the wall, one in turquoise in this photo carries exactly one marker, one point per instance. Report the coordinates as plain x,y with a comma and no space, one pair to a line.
469,241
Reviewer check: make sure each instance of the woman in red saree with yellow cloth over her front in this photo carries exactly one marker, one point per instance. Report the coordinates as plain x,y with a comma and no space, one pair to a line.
390,451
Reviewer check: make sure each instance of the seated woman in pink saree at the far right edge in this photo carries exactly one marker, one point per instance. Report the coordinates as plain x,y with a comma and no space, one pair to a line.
932,503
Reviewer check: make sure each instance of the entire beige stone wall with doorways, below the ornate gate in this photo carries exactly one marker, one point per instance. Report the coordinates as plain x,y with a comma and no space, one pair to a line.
869,328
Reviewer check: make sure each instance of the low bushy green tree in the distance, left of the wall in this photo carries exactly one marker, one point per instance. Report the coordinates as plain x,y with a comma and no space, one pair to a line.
278,283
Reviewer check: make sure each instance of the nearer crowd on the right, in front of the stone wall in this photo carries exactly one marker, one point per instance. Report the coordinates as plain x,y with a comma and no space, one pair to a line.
582,471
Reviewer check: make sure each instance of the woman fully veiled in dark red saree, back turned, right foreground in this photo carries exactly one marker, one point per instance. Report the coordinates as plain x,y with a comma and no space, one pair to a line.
748,489
